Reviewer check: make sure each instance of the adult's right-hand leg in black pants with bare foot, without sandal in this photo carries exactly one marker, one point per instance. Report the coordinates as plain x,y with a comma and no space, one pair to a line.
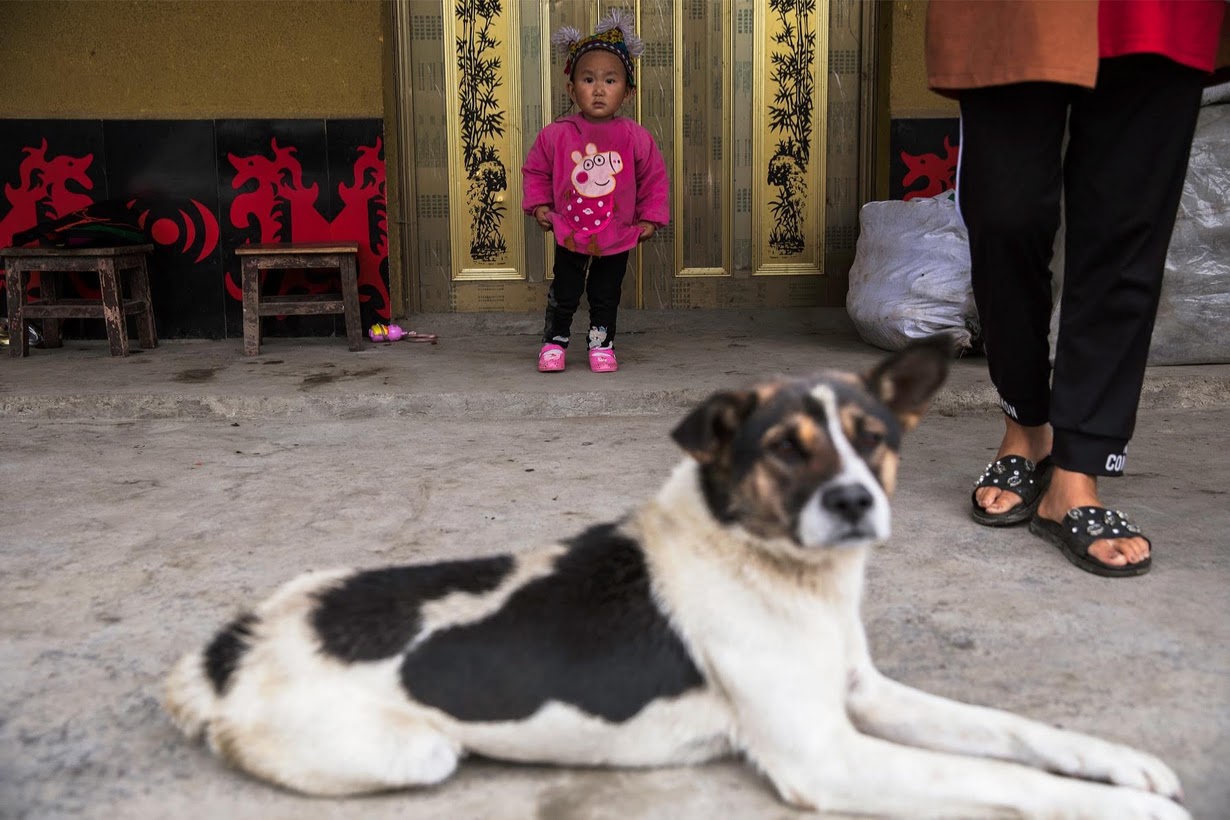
1127,159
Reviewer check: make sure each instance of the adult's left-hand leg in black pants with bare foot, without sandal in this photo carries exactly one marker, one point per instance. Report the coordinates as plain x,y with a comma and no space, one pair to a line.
1009,185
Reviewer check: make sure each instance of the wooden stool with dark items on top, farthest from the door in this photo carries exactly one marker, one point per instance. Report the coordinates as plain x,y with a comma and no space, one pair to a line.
114,308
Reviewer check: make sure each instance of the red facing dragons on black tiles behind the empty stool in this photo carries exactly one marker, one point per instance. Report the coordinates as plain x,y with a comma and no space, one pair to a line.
284,210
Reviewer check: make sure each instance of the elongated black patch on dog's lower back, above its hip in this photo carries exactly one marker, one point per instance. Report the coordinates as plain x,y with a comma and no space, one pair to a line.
376,614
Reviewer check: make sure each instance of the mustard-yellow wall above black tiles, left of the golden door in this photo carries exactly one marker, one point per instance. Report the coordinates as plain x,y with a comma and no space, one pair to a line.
191,60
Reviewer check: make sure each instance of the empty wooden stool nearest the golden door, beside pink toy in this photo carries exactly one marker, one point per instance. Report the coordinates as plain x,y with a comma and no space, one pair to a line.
341,256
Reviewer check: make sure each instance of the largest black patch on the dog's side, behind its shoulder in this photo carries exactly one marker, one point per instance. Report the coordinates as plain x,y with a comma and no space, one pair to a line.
589,635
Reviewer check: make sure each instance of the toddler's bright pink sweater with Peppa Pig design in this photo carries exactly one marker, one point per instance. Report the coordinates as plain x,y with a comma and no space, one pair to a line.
600,181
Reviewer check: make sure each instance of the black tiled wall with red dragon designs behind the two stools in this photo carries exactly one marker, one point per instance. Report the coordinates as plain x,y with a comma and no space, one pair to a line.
201,189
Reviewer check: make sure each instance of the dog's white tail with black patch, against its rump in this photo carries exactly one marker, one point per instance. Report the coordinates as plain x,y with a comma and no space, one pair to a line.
199,682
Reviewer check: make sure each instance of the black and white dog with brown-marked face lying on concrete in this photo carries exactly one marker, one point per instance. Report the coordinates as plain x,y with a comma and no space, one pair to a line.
720,618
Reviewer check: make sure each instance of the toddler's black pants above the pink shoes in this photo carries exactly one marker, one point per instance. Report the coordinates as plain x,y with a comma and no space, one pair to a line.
601,278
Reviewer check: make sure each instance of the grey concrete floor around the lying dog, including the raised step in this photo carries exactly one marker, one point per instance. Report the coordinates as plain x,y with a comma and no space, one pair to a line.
147,500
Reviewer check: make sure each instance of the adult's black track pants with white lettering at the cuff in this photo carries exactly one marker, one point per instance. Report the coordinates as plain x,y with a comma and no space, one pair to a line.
1121,179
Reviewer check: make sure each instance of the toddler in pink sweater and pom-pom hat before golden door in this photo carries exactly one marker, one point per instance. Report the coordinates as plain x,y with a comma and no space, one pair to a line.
598,181
